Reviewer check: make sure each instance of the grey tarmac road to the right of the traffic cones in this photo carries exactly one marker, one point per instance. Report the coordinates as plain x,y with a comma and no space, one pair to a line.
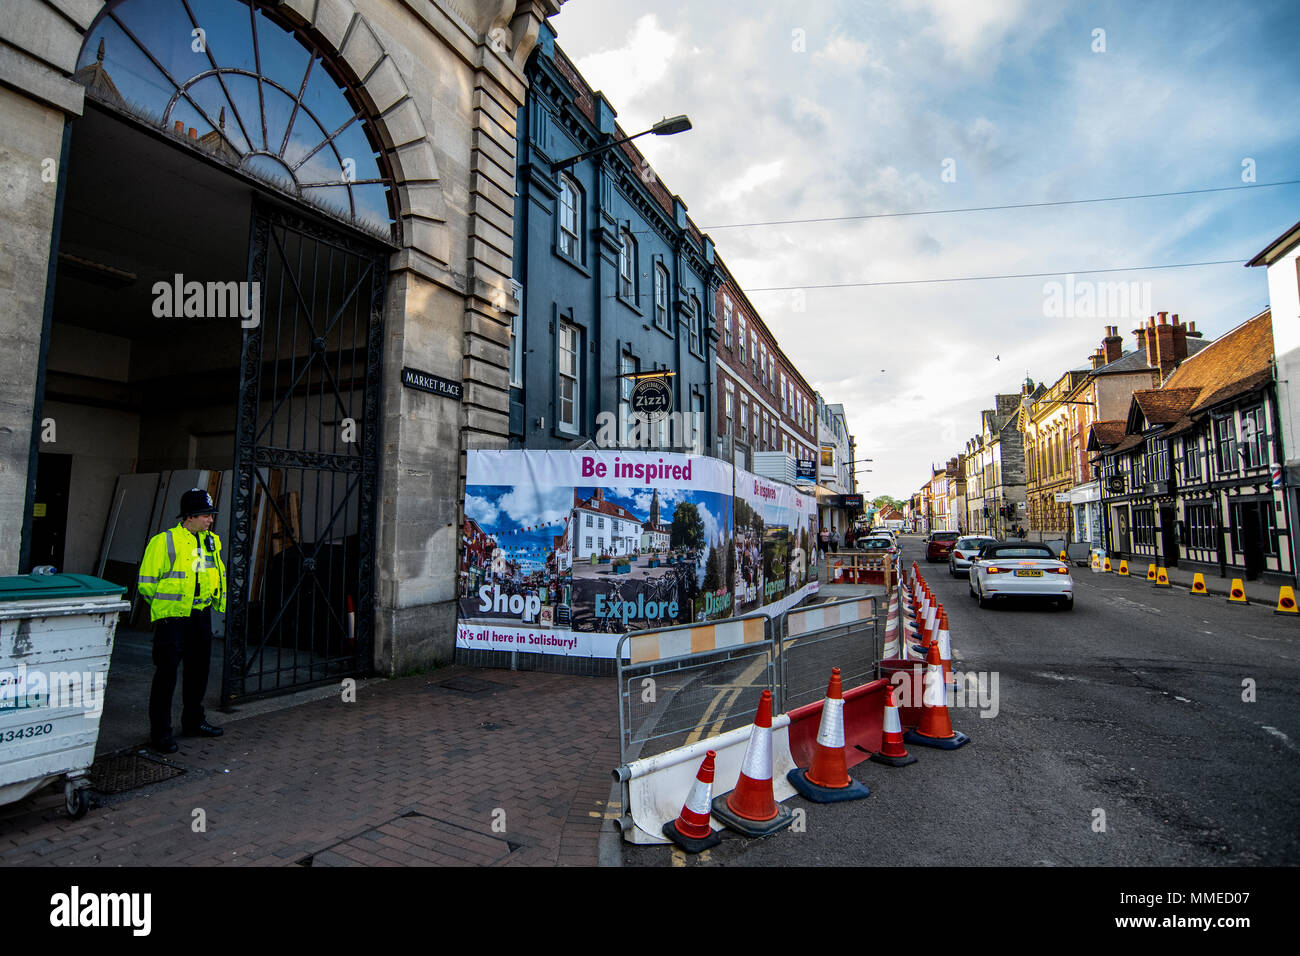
1121,738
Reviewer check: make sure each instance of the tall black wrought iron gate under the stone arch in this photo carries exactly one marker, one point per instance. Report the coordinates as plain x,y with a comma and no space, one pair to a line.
302,552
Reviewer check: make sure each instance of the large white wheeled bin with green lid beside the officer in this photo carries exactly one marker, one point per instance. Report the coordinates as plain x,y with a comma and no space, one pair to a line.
57,639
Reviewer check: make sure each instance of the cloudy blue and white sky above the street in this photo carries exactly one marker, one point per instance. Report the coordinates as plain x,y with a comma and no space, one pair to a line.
839,109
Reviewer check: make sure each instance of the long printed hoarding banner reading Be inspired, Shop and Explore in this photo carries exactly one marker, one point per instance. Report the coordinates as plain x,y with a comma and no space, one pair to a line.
565,552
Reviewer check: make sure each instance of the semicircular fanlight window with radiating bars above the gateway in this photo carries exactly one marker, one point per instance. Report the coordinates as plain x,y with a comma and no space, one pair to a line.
248,92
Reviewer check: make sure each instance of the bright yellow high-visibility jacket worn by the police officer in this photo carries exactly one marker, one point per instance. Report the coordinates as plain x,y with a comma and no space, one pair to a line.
179,564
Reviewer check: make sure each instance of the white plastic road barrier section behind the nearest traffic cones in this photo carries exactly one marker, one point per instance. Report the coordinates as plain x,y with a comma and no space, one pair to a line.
656,788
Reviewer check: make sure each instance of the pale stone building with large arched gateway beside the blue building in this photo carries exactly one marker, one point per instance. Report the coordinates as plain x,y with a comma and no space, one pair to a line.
145,144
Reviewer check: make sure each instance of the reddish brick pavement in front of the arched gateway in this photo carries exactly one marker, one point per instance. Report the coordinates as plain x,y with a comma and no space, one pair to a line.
413,775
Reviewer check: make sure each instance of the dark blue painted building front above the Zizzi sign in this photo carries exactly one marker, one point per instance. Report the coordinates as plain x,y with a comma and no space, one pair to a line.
584,289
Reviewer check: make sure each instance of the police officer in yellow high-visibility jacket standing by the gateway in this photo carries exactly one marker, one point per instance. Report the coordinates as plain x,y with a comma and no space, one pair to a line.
184,579
